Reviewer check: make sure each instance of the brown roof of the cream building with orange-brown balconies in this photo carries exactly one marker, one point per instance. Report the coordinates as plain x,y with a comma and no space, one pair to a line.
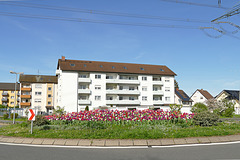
38,79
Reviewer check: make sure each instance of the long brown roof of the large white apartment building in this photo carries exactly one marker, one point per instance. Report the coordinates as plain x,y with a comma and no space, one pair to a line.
113,67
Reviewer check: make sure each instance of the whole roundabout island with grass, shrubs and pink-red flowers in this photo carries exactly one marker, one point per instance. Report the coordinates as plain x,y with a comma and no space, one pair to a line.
105,124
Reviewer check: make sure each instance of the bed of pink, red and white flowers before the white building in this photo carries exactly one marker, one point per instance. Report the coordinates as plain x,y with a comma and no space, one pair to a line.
124,115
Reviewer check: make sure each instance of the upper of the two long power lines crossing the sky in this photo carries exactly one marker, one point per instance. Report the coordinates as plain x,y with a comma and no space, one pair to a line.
48,7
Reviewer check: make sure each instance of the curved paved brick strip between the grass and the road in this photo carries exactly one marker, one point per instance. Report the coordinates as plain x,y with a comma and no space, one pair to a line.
119,143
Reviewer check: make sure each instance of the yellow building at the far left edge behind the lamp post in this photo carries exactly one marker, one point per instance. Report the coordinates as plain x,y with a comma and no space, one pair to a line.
7,94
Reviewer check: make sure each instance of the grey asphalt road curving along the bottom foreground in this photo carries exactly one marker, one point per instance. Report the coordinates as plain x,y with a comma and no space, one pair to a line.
213,152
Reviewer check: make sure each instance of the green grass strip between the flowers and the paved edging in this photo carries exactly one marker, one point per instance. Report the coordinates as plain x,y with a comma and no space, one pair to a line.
131,131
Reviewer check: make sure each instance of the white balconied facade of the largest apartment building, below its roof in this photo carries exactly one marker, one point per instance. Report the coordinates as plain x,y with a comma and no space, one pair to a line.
76,90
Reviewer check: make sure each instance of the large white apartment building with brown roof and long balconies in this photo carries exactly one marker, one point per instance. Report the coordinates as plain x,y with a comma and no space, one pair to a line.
118,85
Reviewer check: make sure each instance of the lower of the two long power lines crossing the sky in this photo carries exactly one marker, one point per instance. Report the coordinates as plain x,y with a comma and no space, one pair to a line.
94,21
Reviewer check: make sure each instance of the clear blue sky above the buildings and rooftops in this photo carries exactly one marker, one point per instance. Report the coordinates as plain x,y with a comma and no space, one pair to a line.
30,45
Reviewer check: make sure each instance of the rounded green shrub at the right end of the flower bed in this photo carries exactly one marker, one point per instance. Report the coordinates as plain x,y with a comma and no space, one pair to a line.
205,119
